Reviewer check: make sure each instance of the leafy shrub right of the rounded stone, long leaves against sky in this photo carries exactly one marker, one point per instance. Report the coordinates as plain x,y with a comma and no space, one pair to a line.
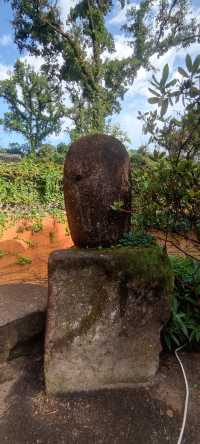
168,181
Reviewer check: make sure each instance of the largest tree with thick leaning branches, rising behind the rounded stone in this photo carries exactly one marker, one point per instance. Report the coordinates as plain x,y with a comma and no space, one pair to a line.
95,81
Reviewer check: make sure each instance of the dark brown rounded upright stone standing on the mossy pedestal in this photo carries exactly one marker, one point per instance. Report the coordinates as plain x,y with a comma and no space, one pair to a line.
96,175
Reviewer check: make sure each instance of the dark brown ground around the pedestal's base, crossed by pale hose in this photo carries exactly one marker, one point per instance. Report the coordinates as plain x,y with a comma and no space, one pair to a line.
150,415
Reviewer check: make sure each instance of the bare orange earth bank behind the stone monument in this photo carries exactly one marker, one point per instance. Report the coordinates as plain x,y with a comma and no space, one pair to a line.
19,241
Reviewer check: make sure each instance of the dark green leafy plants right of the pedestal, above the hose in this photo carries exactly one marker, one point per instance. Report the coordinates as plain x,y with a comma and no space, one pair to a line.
184,324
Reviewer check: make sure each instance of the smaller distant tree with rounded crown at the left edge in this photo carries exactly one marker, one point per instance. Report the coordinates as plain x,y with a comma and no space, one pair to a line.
35,105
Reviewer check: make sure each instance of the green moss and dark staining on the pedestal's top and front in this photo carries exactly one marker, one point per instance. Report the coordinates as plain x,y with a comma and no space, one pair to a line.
148,266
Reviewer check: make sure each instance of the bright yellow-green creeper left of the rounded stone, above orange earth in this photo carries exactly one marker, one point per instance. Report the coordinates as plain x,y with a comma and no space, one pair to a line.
31,183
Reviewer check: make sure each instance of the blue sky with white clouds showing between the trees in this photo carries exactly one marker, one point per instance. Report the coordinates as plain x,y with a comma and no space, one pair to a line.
135,99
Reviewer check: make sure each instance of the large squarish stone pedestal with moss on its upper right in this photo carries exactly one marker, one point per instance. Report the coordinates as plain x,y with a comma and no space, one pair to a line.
105,311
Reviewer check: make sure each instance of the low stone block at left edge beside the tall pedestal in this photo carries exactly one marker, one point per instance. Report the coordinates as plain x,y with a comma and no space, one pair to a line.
22,317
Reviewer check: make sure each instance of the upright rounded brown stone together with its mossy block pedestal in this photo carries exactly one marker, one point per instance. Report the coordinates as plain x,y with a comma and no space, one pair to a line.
105,306
